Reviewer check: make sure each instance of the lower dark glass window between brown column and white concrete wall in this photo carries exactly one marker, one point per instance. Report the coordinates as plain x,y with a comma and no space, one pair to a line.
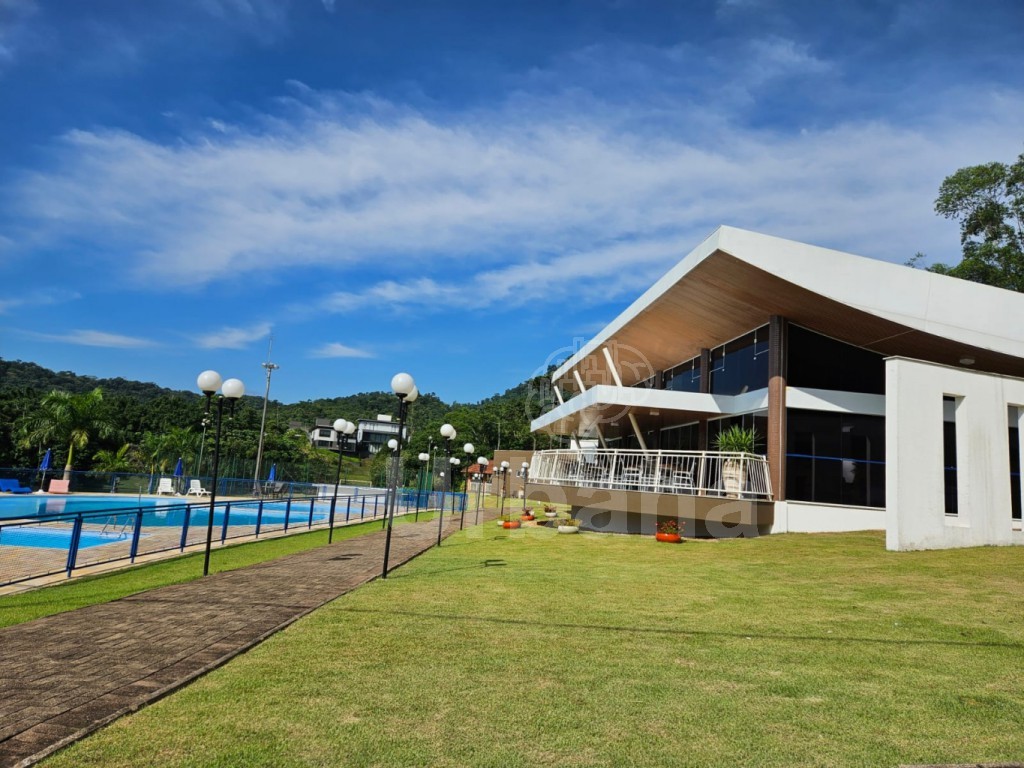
836,458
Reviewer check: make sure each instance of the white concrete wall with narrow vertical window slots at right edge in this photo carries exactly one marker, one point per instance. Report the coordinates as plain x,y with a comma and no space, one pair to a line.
915,496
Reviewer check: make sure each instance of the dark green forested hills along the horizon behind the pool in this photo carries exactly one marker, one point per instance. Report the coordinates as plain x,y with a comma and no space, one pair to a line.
138,414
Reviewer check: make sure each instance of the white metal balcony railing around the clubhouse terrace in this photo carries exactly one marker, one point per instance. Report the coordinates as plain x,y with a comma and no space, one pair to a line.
695,473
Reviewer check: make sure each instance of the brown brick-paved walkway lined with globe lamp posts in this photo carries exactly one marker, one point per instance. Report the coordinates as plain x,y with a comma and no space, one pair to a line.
65,676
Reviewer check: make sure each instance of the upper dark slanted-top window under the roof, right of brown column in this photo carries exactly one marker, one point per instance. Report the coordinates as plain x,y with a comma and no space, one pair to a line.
817,362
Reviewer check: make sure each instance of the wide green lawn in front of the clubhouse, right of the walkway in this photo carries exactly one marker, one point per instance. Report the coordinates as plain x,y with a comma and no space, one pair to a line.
530,649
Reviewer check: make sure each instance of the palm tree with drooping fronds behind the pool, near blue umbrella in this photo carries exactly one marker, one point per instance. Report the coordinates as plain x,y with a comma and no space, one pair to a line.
70,419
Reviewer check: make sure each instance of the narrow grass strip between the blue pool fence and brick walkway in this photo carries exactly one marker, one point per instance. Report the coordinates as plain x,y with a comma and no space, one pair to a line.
77,593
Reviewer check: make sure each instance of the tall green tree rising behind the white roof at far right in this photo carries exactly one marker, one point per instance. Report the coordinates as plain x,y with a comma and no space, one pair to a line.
989,203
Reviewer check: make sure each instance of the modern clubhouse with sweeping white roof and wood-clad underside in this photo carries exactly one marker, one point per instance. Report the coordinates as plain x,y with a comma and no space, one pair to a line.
881,397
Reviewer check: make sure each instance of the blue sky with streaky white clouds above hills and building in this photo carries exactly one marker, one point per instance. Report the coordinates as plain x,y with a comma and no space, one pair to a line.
457,190
